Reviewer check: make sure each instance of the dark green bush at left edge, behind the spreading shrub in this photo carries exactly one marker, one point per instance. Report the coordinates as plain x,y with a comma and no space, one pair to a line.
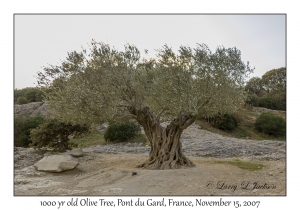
23,124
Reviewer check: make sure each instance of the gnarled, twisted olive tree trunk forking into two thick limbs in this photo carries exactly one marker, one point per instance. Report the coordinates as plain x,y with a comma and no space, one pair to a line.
166,148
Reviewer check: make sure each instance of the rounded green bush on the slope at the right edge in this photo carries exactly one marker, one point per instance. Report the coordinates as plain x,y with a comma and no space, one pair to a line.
271,124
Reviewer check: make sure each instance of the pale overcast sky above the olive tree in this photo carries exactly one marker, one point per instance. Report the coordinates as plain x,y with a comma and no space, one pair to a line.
41,40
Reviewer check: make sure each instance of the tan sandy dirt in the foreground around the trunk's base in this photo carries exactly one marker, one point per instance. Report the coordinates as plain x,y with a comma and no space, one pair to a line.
104,174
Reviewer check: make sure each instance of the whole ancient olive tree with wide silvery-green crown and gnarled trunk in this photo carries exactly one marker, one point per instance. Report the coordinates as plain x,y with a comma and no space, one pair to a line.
104,83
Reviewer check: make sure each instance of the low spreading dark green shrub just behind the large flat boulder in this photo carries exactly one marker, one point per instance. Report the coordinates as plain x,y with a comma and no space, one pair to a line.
55,134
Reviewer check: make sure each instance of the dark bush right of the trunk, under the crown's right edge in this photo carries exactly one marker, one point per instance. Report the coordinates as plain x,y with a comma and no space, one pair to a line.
226,122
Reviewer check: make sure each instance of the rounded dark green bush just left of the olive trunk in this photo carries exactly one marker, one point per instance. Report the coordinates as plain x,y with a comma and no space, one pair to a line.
121,131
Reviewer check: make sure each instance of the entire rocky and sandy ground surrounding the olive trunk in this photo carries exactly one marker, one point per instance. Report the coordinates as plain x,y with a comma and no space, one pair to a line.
107,170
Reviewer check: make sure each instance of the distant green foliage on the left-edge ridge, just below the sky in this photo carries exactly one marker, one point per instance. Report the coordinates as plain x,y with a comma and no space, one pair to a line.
27,95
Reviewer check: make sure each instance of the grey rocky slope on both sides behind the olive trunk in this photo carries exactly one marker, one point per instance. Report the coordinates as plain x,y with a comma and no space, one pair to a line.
197,142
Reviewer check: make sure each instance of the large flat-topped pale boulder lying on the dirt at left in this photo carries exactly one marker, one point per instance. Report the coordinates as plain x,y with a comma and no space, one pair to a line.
56,163
